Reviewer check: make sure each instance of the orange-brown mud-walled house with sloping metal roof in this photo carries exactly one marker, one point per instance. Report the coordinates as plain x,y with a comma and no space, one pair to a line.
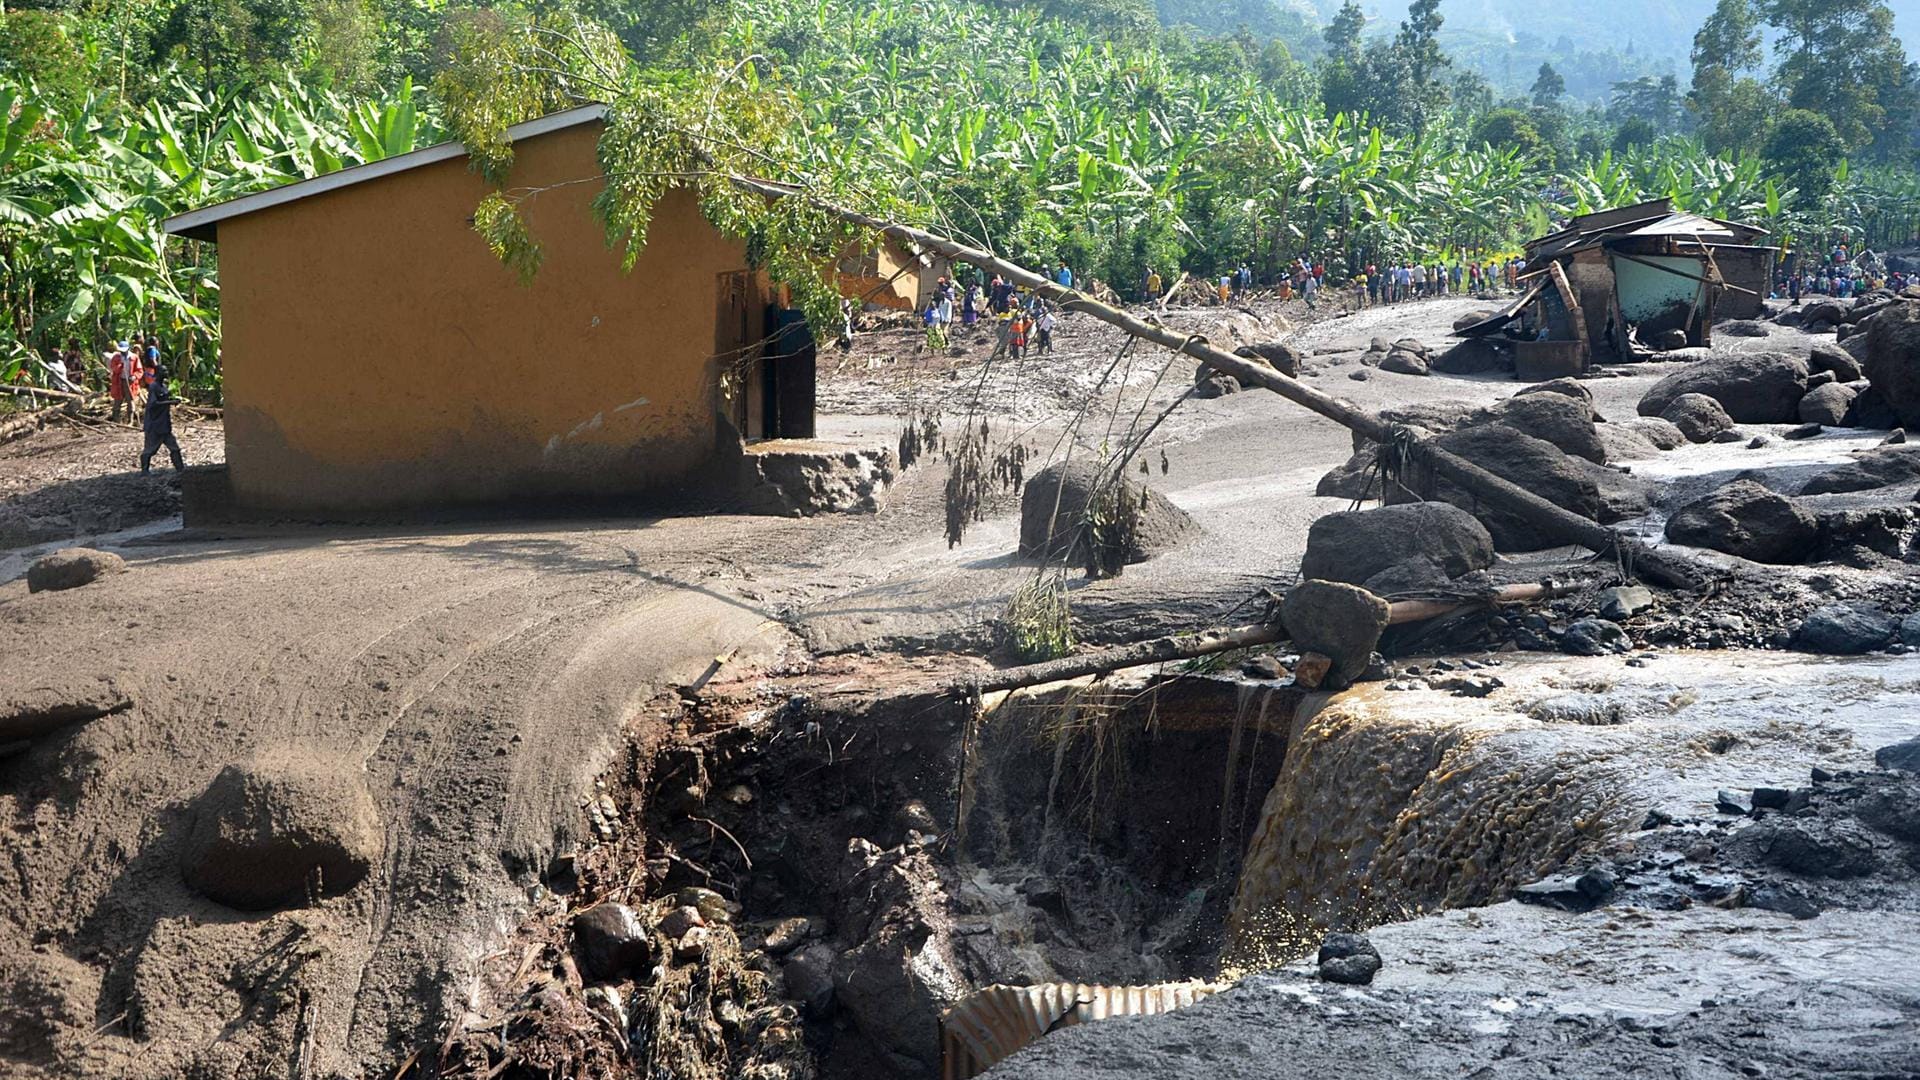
379,356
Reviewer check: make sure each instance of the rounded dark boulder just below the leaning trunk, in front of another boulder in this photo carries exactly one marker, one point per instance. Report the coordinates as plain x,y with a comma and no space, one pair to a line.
1358,545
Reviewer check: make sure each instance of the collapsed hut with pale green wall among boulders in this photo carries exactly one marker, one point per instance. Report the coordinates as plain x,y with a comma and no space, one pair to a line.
1637,278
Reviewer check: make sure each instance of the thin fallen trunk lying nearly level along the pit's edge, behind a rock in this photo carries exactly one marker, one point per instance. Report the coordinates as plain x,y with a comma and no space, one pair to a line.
1209,643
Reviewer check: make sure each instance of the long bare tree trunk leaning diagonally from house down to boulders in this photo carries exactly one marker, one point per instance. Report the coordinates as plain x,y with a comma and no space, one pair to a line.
1558,522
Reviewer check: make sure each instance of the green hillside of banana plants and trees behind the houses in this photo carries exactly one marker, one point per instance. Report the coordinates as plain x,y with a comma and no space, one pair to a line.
1068,130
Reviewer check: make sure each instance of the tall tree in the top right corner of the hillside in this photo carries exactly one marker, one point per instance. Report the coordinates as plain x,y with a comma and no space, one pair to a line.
1842,61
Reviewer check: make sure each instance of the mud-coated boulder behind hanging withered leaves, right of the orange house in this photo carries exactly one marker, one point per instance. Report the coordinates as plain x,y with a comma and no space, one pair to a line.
1055,508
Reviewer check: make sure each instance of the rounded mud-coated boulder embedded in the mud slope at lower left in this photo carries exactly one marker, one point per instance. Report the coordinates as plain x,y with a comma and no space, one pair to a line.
279,831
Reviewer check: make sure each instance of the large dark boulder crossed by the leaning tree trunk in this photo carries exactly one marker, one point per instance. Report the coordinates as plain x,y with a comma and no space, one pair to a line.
1524,460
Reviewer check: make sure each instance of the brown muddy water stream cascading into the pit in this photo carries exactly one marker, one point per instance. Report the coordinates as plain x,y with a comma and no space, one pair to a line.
1403,802
